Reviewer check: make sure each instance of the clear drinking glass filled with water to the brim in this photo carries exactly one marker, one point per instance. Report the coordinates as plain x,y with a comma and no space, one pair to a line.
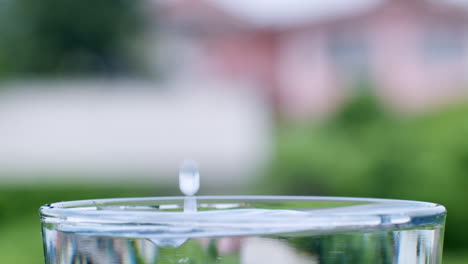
243,229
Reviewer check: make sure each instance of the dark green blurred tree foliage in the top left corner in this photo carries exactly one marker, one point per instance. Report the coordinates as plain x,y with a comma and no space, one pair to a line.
50,37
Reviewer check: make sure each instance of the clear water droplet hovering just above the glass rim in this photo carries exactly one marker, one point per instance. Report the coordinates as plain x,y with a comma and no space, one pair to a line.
189,178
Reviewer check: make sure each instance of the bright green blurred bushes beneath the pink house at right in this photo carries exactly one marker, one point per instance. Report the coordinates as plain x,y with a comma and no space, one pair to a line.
364,151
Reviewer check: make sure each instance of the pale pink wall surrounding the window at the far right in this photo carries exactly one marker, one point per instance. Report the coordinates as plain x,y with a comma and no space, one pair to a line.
408,80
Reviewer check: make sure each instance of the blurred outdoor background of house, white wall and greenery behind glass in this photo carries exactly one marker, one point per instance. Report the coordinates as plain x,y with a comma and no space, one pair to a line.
346,98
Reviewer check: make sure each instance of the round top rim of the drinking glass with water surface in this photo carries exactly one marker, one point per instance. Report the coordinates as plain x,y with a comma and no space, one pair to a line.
231,215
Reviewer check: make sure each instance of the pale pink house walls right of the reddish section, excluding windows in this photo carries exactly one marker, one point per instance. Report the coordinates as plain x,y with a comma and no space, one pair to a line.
311,84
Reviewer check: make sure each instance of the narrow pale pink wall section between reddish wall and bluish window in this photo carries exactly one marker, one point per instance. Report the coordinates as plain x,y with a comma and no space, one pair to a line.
307,84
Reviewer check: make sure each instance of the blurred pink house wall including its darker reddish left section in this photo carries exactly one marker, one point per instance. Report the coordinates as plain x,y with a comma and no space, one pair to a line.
295,69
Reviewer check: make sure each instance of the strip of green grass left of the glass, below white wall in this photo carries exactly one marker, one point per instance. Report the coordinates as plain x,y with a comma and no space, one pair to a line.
20,229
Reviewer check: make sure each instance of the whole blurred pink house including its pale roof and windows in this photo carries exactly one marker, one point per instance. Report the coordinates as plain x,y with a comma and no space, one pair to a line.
306,56
